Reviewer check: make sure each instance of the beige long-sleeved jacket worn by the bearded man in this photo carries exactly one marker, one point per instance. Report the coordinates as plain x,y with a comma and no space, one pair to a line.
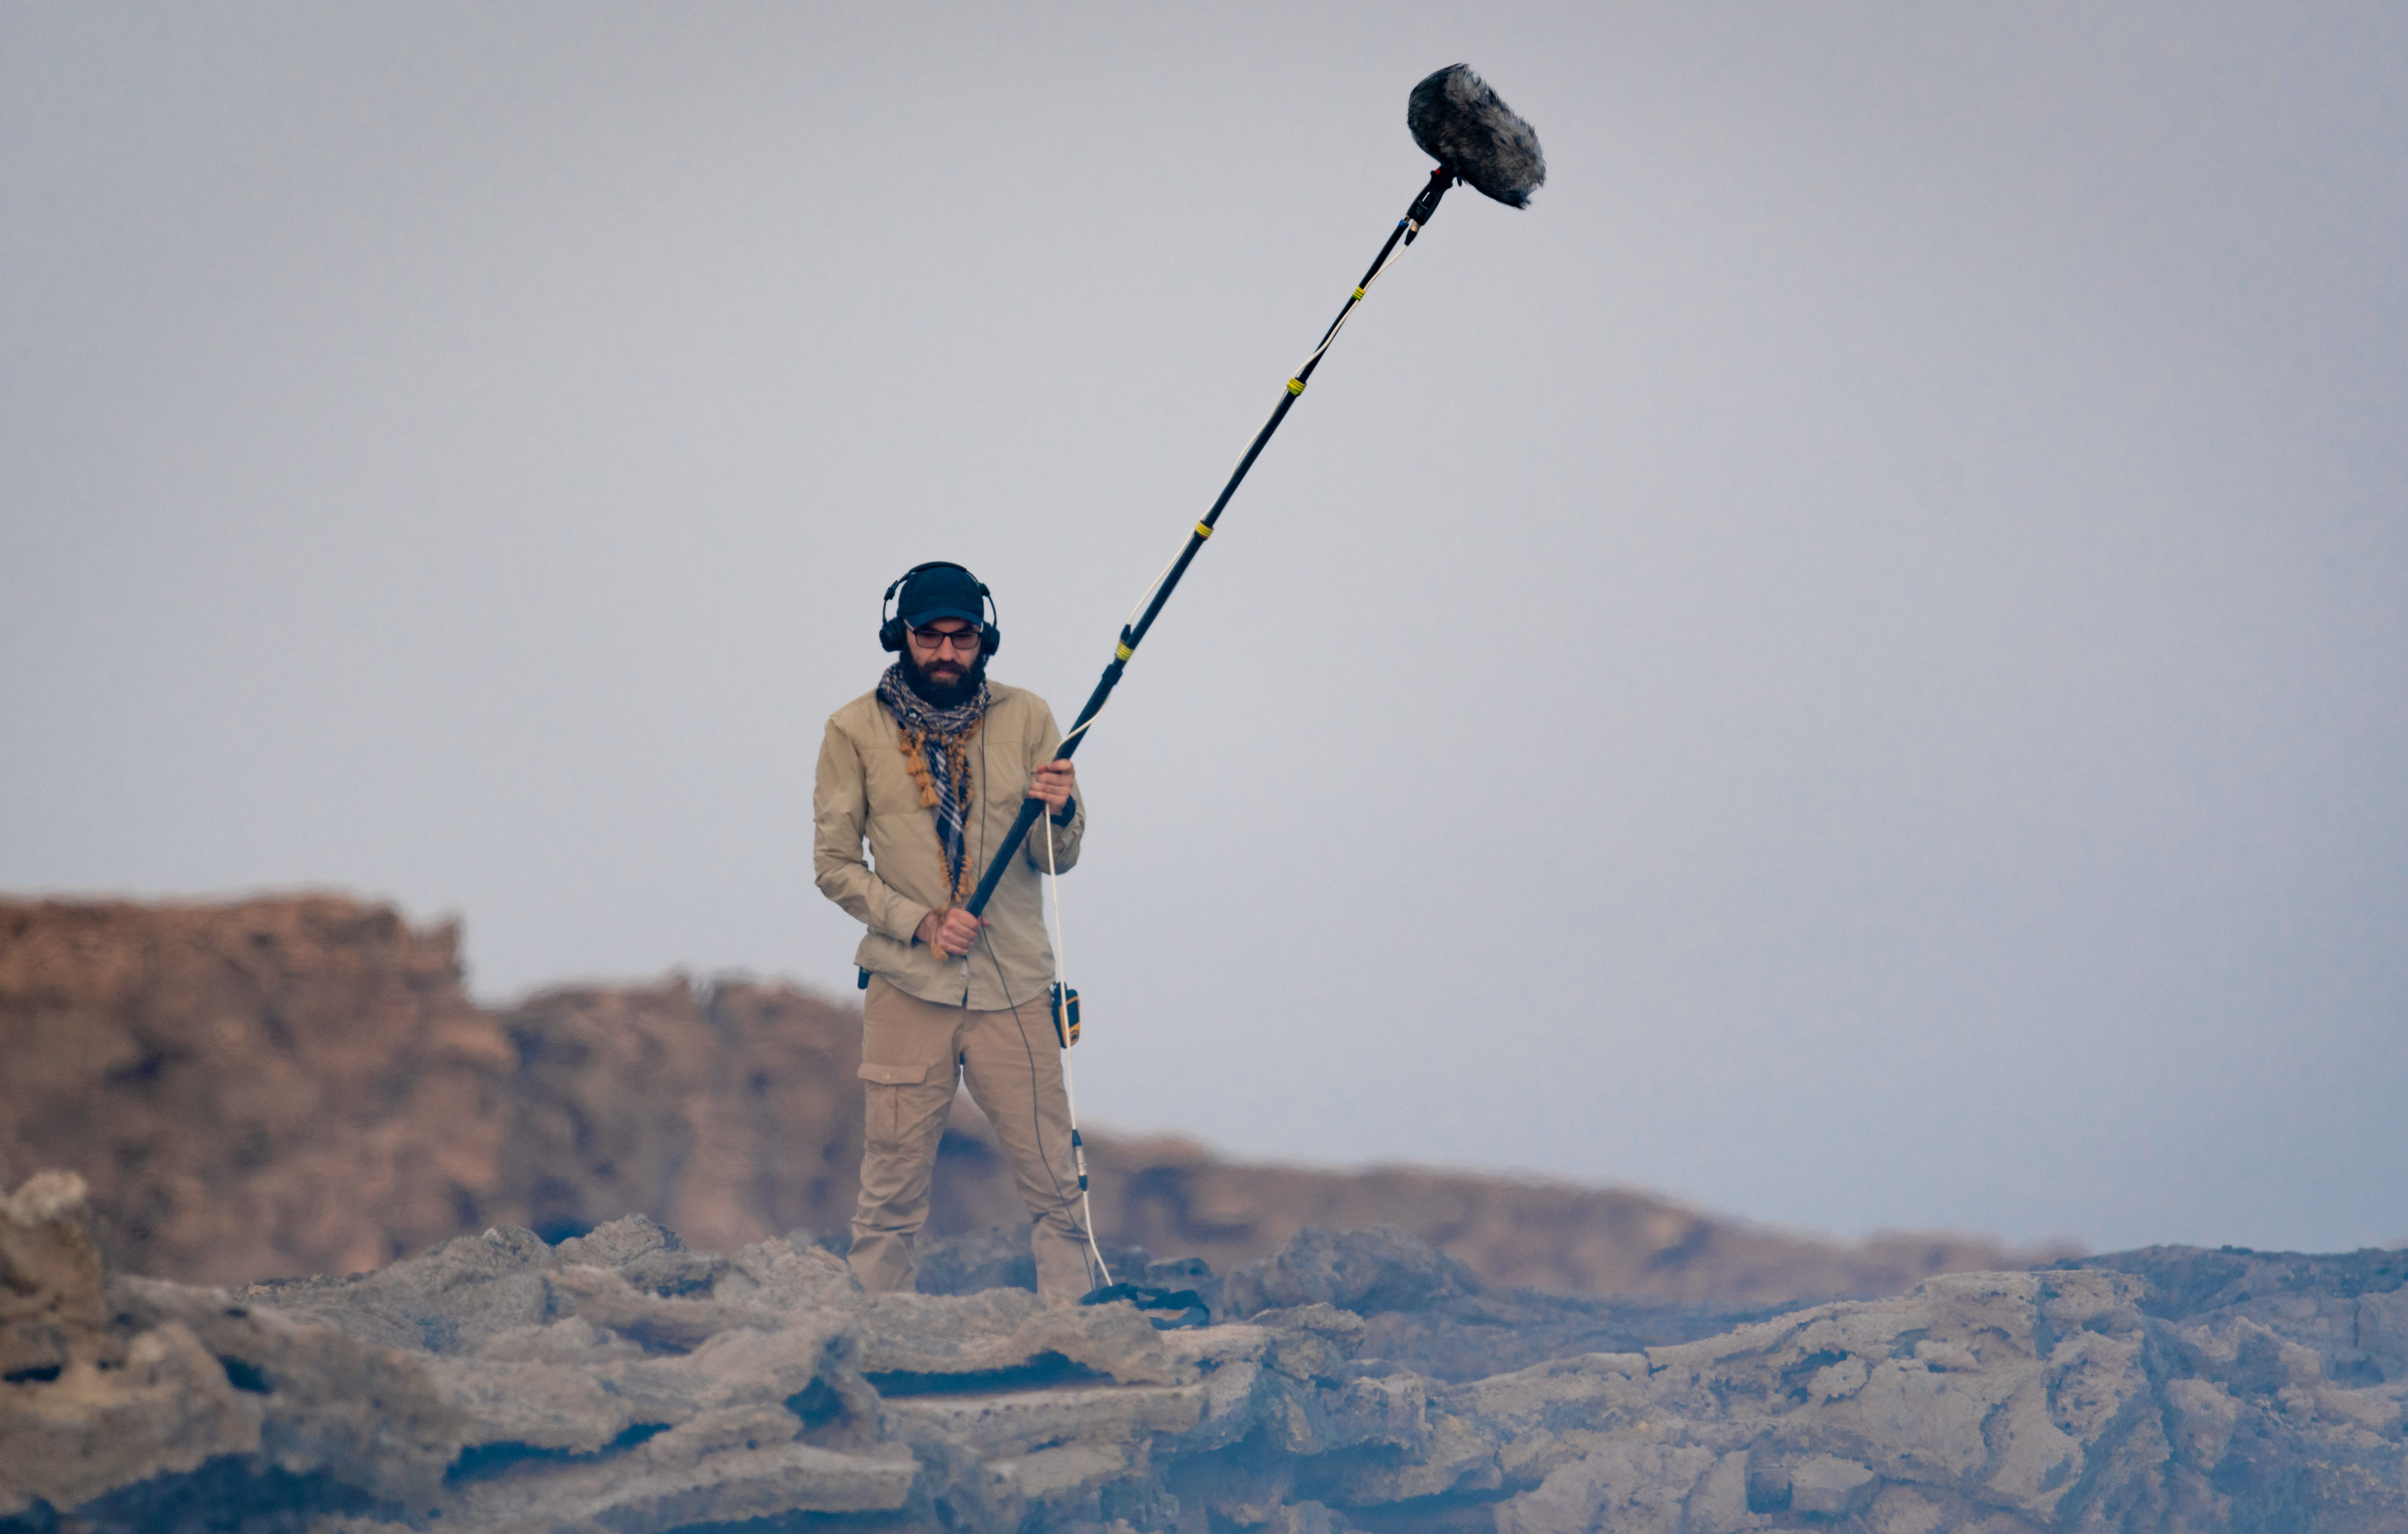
866,791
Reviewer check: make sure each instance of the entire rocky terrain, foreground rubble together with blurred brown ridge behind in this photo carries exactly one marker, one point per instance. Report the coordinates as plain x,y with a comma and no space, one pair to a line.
305,1087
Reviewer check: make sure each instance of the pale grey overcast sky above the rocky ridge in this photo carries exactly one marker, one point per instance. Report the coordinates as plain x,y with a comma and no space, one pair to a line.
1851,666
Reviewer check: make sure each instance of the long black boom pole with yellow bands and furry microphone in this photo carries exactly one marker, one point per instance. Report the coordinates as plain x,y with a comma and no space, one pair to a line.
1475,138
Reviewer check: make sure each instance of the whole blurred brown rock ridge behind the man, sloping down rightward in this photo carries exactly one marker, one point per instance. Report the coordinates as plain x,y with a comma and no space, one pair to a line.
302,1085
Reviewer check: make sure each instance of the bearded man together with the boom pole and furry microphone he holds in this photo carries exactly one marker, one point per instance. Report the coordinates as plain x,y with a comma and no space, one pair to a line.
950,846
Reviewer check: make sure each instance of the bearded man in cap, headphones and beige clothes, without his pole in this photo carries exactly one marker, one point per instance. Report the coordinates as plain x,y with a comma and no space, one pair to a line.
931,767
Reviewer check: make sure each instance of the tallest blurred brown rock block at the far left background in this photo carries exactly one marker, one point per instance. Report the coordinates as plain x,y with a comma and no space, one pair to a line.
266,1087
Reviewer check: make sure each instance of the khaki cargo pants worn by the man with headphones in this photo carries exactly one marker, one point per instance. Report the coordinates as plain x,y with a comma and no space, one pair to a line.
911,1054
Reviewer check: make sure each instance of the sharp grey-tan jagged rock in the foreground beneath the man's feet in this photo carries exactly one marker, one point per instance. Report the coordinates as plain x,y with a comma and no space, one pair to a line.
625,1383
